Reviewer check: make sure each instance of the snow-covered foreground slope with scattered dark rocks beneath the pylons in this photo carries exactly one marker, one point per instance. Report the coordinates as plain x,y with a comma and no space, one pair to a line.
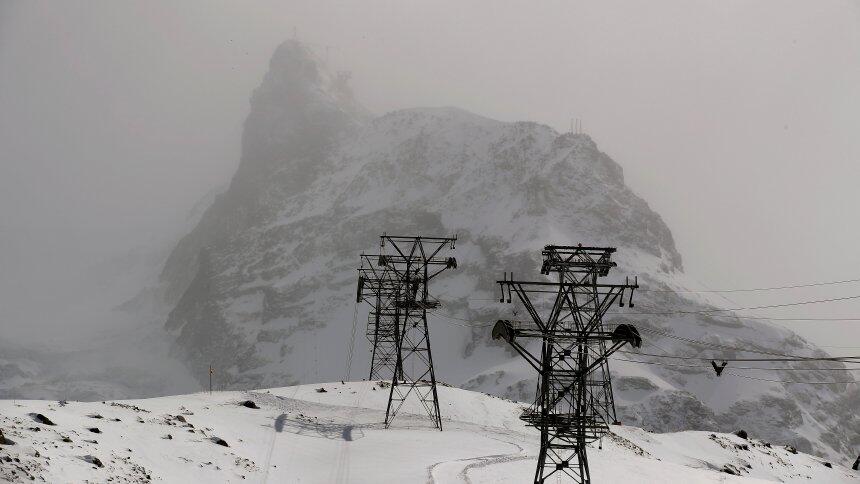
301,435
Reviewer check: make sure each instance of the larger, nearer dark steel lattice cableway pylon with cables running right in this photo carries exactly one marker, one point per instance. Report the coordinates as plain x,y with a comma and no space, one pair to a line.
573,404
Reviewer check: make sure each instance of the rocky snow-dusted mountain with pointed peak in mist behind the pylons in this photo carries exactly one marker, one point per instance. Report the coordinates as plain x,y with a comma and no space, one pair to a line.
263,288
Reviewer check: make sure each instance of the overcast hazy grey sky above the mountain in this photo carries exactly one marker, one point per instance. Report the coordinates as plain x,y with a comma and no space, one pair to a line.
738,121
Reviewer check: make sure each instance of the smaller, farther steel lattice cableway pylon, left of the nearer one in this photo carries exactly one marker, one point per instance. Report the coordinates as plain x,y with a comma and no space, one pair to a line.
395,284
